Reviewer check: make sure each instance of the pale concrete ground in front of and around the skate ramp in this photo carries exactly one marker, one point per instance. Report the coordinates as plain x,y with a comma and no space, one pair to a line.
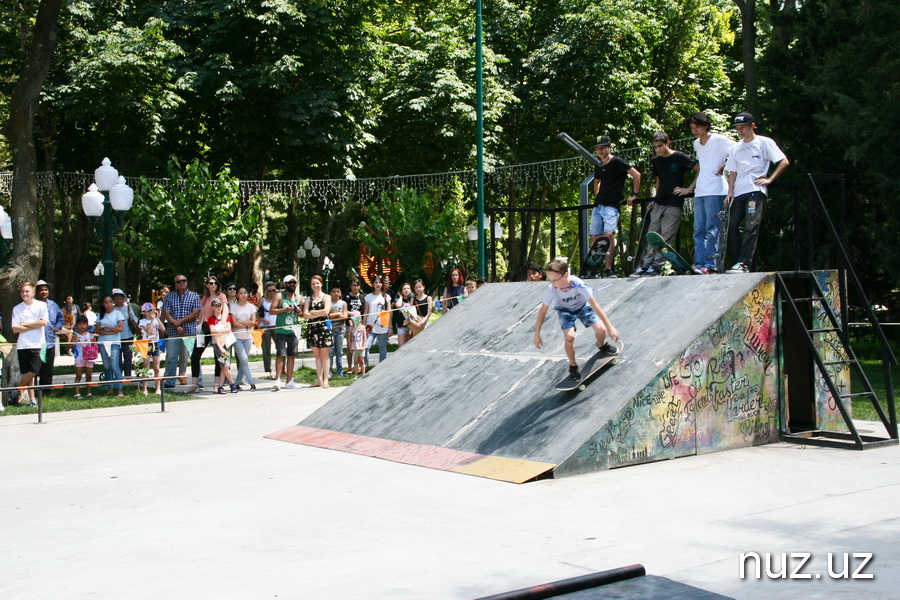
132,503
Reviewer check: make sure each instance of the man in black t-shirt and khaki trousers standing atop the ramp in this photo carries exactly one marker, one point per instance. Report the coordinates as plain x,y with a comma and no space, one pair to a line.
669,167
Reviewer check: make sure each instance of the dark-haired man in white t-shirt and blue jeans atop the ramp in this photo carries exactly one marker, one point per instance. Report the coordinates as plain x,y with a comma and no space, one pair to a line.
711,150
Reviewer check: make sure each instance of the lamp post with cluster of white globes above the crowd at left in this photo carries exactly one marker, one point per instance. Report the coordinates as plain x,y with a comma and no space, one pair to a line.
105,204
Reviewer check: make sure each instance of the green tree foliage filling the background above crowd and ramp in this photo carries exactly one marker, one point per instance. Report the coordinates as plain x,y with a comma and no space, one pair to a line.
301,89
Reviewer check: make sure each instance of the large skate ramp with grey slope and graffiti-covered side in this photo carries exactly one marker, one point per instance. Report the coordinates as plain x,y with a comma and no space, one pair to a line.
472,394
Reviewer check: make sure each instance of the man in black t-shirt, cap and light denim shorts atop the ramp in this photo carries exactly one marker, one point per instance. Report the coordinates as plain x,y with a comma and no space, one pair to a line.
609,185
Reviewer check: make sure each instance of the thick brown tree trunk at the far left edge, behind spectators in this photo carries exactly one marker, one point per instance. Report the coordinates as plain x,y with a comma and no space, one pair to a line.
25,259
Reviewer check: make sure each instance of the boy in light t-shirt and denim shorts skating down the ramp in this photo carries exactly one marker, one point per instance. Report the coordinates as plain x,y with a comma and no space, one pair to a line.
574,300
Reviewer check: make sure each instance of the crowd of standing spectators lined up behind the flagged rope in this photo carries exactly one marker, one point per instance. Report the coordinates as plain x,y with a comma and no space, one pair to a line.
174,329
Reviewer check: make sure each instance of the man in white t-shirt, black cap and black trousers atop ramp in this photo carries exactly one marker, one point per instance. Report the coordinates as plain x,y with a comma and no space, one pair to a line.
748,181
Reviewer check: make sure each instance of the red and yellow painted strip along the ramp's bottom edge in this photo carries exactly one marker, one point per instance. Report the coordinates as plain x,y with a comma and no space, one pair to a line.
513,470
